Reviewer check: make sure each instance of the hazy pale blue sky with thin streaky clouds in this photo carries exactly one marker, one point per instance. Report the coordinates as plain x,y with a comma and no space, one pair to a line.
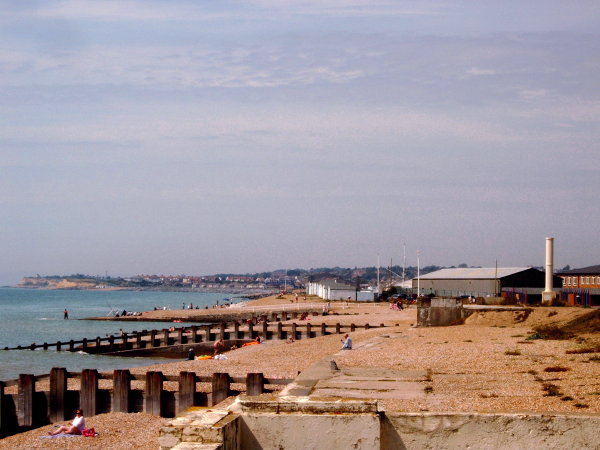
200,137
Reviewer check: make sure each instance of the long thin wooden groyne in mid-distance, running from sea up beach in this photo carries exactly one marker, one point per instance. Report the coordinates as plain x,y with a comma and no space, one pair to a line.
202,333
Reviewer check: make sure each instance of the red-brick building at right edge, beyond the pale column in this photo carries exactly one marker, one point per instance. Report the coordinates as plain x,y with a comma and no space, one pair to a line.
581,286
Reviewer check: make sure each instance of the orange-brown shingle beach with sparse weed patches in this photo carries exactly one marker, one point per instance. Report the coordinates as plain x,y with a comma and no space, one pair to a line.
487,364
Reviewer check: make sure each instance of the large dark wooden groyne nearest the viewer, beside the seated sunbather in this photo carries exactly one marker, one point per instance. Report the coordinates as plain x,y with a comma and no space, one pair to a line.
28,408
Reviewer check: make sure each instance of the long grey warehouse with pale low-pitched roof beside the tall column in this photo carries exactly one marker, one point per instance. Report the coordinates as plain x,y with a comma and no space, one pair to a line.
524,284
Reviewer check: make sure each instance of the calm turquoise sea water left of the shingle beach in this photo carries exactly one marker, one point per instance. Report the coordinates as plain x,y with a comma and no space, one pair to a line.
28,316
